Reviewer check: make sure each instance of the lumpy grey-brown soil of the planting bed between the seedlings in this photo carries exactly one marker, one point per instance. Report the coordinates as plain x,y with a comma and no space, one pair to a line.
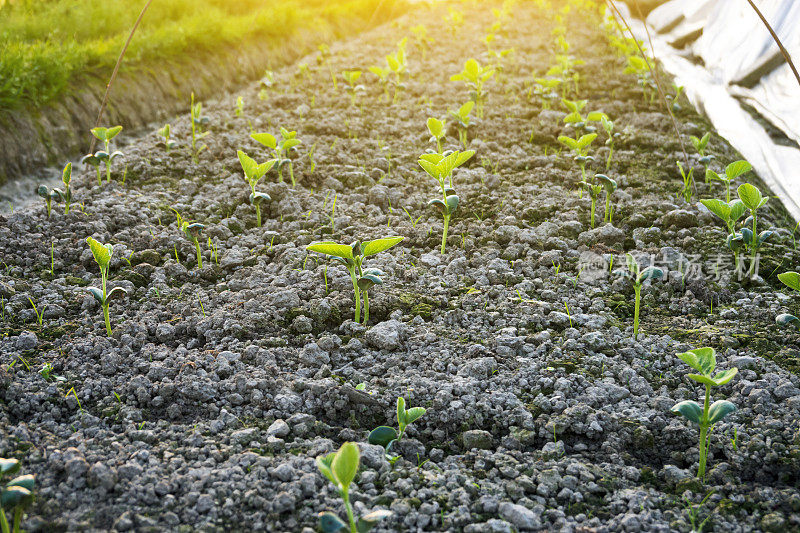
219,387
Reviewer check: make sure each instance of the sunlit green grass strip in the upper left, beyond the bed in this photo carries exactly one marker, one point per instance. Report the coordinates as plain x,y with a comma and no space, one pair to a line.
46,45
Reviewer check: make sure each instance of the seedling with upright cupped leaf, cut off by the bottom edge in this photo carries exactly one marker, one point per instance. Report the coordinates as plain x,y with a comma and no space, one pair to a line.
340,468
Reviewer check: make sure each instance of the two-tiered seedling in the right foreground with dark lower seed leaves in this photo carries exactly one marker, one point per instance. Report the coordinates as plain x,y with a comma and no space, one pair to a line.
704,361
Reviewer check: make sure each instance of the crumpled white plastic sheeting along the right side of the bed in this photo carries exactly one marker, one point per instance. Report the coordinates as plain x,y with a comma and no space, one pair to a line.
723,55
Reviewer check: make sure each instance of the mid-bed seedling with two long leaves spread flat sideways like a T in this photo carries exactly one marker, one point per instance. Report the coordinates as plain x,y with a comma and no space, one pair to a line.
352,257
